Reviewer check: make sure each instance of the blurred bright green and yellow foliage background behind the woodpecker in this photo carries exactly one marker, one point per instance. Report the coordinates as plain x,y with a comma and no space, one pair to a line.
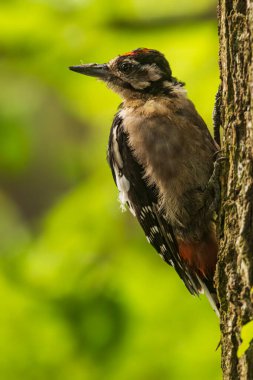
82,294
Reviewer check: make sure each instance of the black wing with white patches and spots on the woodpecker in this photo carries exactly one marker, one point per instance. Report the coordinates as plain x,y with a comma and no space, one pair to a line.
142,200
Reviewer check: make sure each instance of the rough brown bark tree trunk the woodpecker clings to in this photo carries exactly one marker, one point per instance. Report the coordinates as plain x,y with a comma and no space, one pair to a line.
235,267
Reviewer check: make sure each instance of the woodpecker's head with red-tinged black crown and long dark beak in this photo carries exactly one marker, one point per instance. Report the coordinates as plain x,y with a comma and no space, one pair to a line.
141,72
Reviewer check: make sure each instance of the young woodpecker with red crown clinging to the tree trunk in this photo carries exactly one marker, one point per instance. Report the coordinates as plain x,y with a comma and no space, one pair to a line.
162,157
